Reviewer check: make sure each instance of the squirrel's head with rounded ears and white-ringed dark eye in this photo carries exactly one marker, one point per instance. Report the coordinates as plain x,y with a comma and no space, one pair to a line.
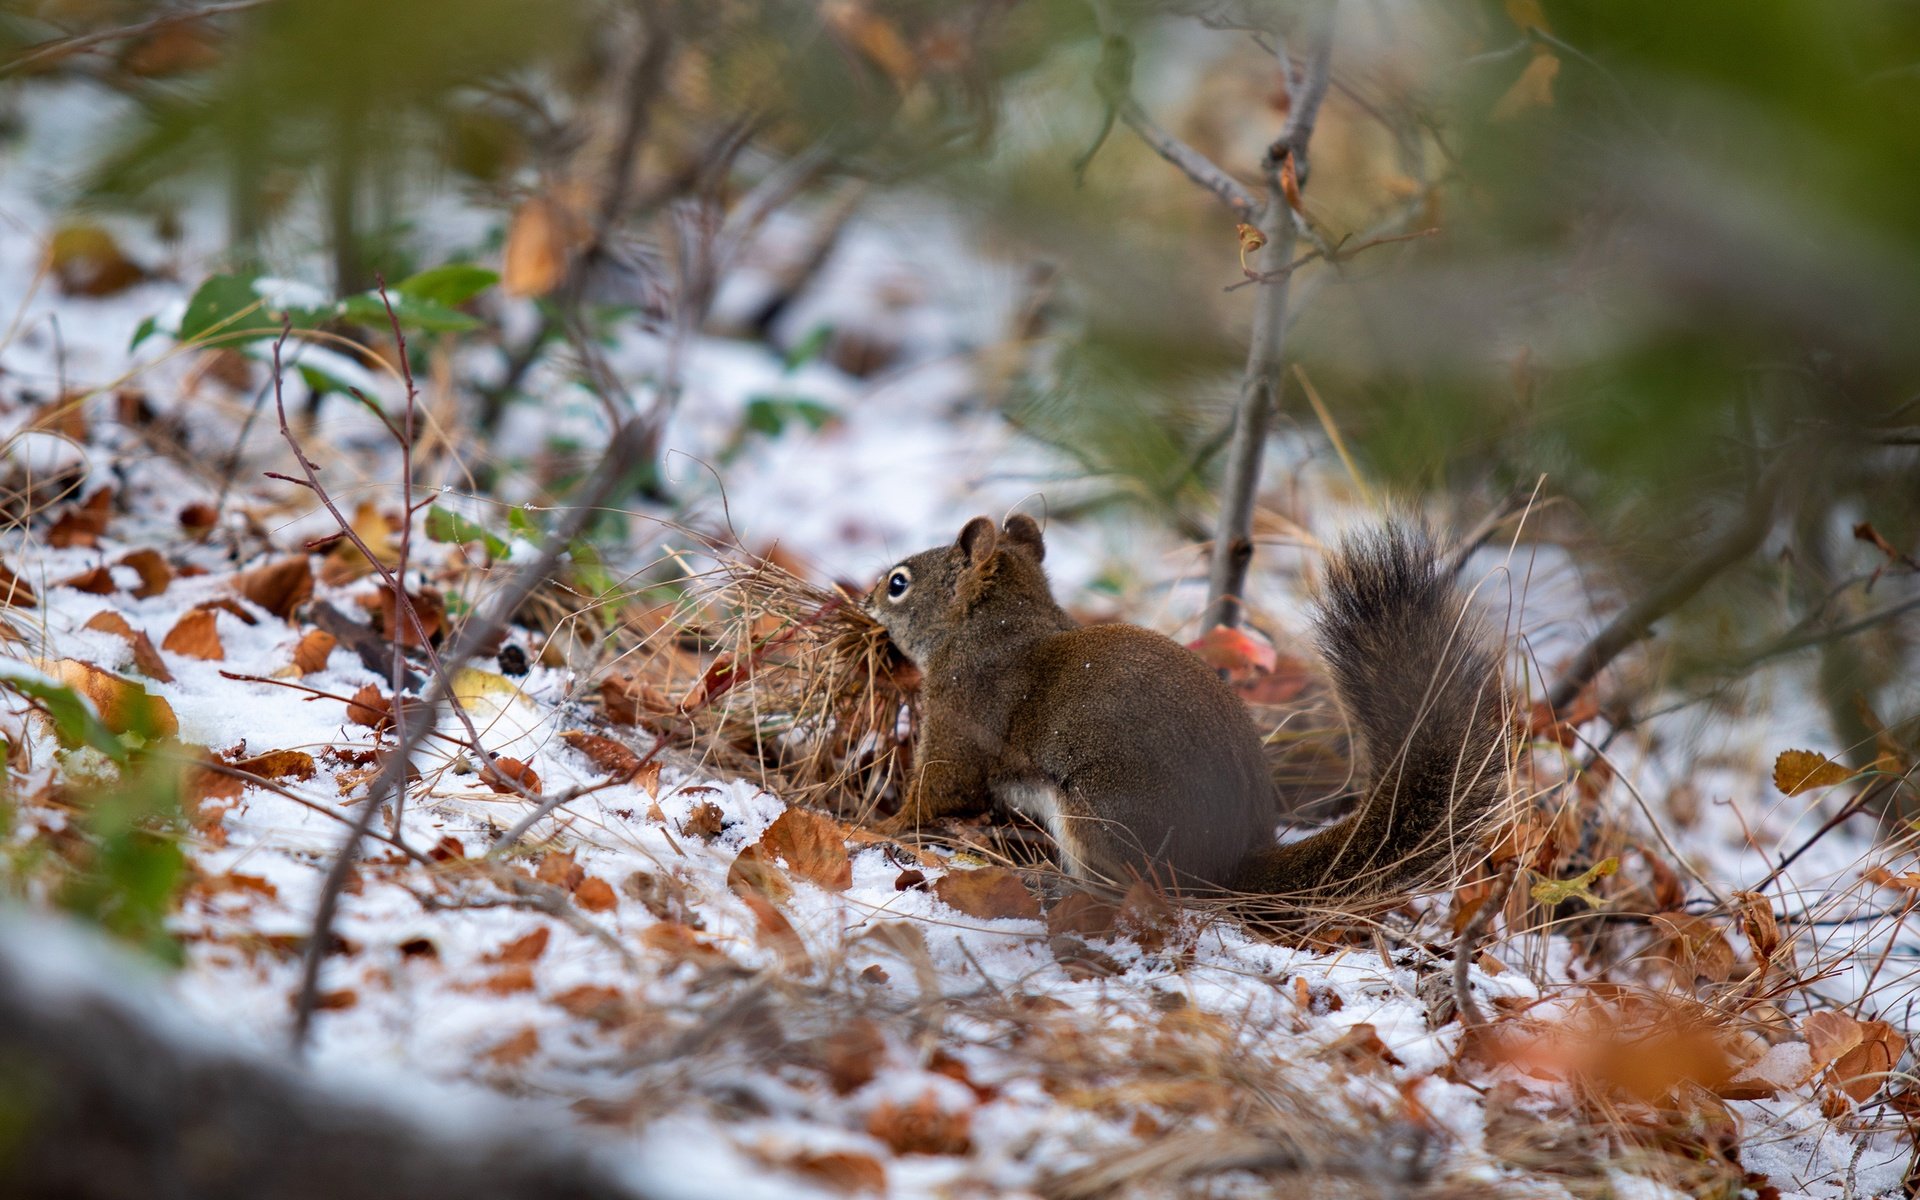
928,598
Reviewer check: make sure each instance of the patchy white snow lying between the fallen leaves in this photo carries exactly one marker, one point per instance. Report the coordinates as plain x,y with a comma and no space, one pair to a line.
709,1090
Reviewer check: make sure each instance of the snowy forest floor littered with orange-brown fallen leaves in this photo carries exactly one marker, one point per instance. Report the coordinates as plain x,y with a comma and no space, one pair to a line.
752,997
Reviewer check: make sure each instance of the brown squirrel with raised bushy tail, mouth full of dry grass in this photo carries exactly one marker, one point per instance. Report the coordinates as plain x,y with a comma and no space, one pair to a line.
1143,763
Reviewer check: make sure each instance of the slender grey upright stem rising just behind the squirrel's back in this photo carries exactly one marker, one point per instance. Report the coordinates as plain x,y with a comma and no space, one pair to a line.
1260,391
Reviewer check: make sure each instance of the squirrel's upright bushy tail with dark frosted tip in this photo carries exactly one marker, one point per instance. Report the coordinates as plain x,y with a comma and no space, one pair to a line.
1420,681
